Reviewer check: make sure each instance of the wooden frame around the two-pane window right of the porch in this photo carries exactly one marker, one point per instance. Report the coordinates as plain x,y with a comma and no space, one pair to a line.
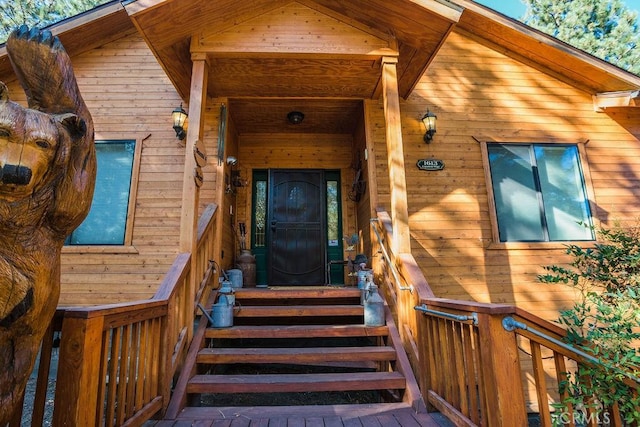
588,188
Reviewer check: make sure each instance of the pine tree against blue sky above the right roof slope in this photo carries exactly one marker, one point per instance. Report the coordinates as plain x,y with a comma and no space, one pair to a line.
603,28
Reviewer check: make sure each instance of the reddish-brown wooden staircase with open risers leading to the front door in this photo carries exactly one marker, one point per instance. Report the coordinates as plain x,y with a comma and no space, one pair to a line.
295,346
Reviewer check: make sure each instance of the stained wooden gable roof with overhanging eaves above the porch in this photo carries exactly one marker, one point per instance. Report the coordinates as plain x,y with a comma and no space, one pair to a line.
413,31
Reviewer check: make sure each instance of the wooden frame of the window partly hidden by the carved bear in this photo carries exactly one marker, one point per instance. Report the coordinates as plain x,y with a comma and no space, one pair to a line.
127,246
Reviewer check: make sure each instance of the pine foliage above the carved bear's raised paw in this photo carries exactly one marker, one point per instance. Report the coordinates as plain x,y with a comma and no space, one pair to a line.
39,13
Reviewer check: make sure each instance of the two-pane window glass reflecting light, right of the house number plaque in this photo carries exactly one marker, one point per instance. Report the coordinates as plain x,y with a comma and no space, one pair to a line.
539,193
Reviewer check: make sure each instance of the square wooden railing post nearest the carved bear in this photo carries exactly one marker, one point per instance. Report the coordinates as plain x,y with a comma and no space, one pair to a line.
78,372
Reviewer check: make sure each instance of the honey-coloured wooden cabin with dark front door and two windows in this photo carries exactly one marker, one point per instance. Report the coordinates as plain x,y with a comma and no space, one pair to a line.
316,106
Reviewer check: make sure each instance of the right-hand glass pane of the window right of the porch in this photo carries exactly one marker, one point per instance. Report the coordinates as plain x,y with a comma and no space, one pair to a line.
565,203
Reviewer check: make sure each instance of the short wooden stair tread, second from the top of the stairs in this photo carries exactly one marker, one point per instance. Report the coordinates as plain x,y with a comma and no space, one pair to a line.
299,310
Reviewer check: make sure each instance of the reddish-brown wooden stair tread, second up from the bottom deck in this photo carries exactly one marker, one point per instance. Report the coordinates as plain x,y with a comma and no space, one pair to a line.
295,355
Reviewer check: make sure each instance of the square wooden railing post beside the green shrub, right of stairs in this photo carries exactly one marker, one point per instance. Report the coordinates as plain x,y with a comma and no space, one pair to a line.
500,370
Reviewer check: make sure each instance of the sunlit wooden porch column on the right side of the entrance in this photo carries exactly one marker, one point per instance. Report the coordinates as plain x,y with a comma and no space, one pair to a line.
395,157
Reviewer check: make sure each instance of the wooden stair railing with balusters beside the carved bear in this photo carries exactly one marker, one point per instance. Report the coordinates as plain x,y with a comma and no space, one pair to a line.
117,362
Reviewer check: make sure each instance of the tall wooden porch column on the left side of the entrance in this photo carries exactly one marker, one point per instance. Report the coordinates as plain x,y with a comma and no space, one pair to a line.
190,191
